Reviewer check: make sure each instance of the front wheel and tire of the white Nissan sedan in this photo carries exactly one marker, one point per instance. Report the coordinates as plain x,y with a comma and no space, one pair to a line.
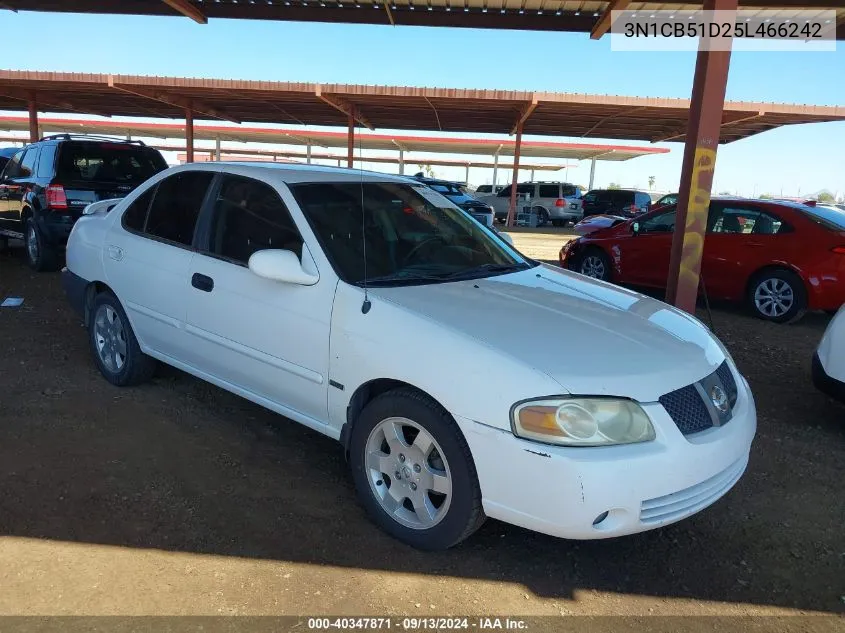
452,516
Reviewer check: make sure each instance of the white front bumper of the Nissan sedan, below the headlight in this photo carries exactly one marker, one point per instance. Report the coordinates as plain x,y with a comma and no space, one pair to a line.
563,491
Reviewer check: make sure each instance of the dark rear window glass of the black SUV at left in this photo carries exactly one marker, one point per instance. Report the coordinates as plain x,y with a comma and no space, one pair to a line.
108,162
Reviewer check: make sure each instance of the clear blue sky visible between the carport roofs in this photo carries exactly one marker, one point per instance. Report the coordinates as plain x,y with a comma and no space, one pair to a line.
791,160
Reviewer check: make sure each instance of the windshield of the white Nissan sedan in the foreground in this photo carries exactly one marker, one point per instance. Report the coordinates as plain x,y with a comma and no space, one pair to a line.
410,234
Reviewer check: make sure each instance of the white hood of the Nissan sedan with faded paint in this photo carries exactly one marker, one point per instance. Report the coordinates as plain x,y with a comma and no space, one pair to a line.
589,336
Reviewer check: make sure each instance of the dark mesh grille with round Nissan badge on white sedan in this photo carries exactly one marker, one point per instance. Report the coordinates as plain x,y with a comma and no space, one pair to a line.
691,411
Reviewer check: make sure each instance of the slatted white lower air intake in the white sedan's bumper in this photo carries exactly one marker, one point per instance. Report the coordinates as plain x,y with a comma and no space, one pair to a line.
677,505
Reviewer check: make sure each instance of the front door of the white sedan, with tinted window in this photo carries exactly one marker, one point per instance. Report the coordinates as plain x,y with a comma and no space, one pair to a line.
267,338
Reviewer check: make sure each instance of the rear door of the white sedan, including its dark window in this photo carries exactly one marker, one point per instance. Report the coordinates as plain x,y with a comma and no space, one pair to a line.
147,259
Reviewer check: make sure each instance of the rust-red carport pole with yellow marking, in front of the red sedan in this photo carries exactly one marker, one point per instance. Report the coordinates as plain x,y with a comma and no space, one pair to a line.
702,140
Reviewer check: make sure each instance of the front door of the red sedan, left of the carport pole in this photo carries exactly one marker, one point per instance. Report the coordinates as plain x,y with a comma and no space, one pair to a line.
644,258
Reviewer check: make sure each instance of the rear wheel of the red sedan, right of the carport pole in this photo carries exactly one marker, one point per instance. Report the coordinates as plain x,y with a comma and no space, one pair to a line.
777,295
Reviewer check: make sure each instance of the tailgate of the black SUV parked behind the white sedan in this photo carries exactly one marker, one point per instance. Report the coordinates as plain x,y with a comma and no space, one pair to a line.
91,171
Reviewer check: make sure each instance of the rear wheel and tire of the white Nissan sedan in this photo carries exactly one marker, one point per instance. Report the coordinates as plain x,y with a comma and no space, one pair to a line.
114,346
